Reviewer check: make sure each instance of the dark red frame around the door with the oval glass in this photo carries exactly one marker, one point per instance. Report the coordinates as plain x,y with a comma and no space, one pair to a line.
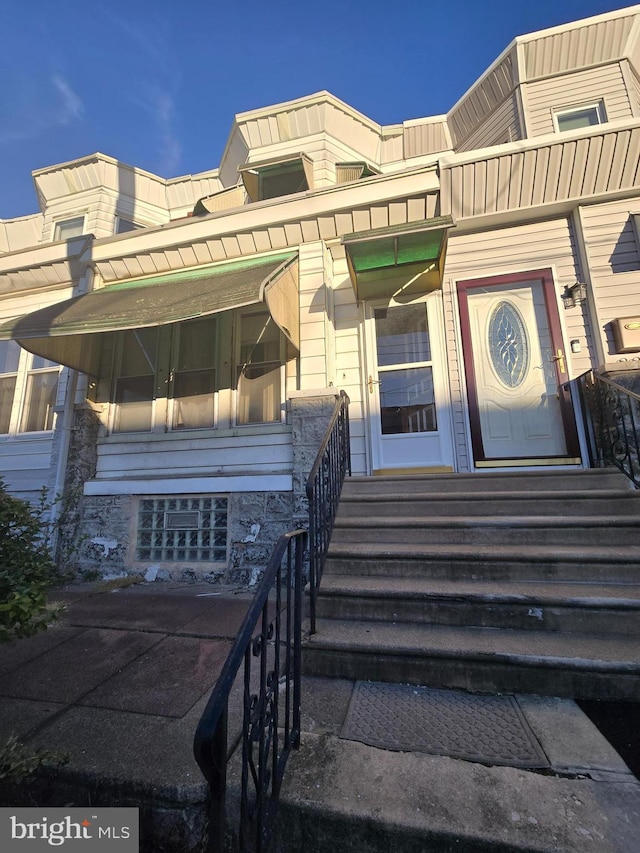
545,276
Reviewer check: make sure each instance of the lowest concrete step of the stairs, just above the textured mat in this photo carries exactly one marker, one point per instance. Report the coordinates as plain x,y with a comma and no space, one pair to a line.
484,660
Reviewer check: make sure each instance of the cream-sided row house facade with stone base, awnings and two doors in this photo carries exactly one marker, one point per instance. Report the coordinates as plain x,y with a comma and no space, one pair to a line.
430,269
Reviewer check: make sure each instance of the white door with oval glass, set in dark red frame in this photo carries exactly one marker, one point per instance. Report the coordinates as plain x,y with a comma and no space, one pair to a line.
515,366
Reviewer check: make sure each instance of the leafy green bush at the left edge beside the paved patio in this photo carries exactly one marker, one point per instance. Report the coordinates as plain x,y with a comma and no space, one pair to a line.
27,570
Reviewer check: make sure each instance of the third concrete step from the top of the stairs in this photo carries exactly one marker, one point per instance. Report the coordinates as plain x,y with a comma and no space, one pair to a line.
517,530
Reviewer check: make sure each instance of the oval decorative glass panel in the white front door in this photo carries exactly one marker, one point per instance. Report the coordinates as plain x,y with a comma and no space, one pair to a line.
508,344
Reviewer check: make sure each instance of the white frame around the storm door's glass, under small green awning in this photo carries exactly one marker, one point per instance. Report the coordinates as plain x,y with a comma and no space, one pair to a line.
433,306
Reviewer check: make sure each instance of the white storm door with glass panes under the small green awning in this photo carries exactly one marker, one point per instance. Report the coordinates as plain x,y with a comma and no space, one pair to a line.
405,389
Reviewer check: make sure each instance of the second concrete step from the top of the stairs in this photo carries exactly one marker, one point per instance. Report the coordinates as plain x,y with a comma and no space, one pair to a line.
431,504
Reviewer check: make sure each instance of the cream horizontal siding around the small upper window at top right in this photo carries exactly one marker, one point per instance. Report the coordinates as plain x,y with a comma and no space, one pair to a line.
604,83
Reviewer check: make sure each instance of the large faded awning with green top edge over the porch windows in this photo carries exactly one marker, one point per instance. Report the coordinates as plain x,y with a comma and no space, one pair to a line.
72,332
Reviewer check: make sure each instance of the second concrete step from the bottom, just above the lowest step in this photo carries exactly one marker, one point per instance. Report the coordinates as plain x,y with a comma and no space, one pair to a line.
578,607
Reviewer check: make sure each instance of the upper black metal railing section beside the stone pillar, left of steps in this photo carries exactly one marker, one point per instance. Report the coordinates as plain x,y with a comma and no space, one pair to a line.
324,485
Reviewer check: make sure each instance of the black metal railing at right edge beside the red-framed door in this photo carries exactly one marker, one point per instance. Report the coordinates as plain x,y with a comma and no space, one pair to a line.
612,421
